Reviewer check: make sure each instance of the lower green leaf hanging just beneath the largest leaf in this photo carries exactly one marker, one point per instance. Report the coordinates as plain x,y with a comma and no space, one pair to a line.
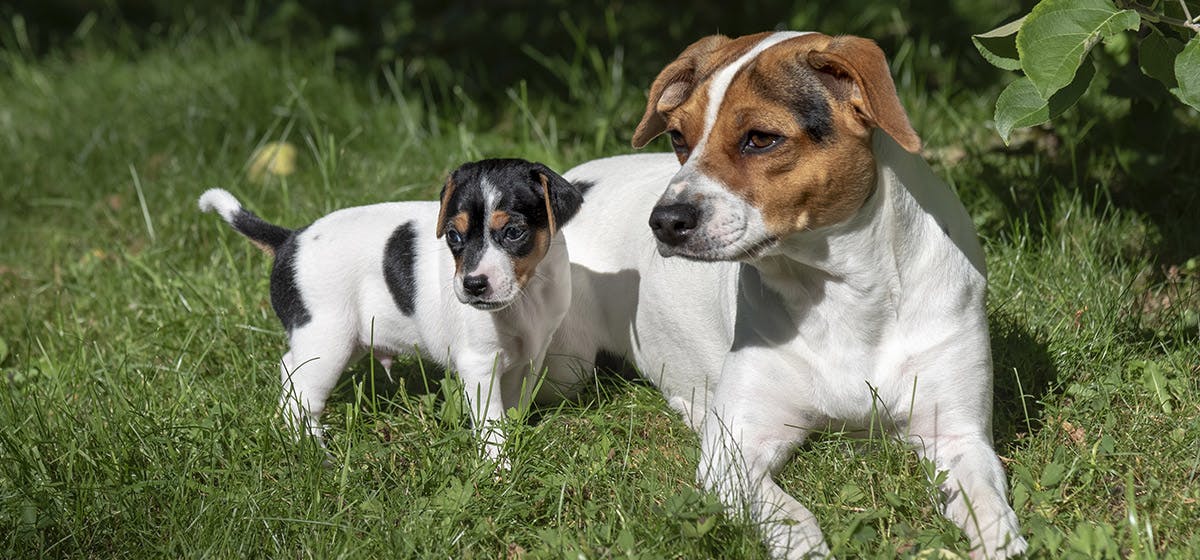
1021,105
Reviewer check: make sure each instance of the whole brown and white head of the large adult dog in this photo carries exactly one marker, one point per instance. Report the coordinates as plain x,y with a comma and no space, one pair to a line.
775,136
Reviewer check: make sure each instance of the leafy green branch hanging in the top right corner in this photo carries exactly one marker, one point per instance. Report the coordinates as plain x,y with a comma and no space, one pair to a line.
1052,47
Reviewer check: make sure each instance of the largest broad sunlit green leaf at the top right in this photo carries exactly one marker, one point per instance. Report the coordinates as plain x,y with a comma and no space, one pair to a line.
1058,35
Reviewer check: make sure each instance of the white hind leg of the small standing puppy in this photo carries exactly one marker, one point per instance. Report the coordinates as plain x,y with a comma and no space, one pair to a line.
309,374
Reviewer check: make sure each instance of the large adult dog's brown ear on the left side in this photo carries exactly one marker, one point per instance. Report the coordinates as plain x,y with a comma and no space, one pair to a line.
674,86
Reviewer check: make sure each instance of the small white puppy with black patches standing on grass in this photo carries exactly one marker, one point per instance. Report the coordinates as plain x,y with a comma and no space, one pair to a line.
487,303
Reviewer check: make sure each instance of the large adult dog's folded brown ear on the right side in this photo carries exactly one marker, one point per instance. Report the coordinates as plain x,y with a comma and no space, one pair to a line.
856,71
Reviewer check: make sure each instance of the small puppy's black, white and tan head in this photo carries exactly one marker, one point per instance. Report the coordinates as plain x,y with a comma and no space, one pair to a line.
499,218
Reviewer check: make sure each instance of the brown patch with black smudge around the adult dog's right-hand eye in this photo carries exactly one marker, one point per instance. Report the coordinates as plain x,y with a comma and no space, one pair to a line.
788,146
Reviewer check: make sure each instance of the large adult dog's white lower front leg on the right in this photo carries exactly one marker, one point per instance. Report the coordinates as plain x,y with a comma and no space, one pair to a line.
975,491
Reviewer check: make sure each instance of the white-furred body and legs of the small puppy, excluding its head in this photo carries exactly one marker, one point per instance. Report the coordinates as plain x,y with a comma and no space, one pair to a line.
350,309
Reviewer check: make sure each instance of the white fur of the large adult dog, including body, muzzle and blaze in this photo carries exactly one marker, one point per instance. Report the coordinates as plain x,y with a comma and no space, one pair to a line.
875,321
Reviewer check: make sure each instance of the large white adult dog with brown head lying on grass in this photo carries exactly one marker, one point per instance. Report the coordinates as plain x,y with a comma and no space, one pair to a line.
845,287
